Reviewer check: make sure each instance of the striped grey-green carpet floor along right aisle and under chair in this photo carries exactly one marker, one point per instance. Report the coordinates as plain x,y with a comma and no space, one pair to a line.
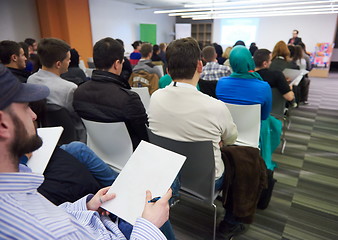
304,204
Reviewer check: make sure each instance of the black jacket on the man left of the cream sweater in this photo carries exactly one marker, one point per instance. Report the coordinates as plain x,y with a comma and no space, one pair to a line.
108,98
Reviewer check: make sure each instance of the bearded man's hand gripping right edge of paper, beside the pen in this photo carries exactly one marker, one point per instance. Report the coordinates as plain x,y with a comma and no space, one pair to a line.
157,213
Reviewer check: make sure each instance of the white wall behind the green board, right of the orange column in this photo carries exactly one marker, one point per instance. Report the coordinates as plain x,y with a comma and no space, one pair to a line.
114,19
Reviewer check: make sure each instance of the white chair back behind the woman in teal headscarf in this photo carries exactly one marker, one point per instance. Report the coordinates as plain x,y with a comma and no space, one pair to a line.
248,121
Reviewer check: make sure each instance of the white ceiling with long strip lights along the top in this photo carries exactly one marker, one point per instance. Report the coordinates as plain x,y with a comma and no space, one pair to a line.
212,9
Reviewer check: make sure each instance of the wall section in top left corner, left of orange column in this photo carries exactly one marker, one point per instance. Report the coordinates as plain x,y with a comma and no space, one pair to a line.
18,20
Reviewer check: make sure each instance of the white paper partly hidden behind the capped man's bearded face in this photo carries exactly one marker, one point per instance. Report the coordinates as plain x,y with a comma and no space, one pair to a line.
40,157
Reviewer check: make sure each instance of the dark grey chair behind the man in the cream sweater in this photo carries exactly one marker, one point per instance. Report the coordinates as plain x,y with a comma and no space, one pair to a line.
197,176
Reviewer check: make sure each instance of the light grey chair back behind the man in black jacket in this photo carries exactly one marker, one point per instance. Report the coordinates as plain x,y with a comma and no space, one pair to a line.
110,141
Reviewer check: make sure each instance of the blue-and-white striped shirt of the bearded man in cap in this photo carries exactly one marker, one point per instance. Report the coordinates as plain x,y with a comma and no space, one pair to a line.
26,214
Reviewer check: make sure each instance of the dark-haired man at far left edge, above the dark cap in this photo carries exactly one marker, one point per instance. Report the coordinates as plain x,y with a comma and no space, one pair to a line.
13,57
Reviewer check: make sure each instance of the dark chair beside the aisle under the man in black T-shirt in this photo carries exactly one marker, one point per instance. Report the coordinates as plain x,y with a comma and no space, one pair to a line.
279,112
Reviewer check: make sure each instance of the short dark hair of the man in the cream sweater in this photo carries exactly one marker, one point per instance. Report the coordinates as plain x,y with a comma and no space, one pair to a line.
182,58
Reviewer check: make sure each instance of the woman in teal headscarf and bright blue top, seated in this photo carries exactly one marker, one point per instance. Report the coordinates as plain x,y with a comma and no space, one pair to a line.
245,87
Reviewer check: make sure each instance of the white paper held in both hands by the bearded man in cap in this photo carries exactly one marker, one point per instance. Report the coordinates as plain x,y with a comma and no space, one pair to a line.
149,168
